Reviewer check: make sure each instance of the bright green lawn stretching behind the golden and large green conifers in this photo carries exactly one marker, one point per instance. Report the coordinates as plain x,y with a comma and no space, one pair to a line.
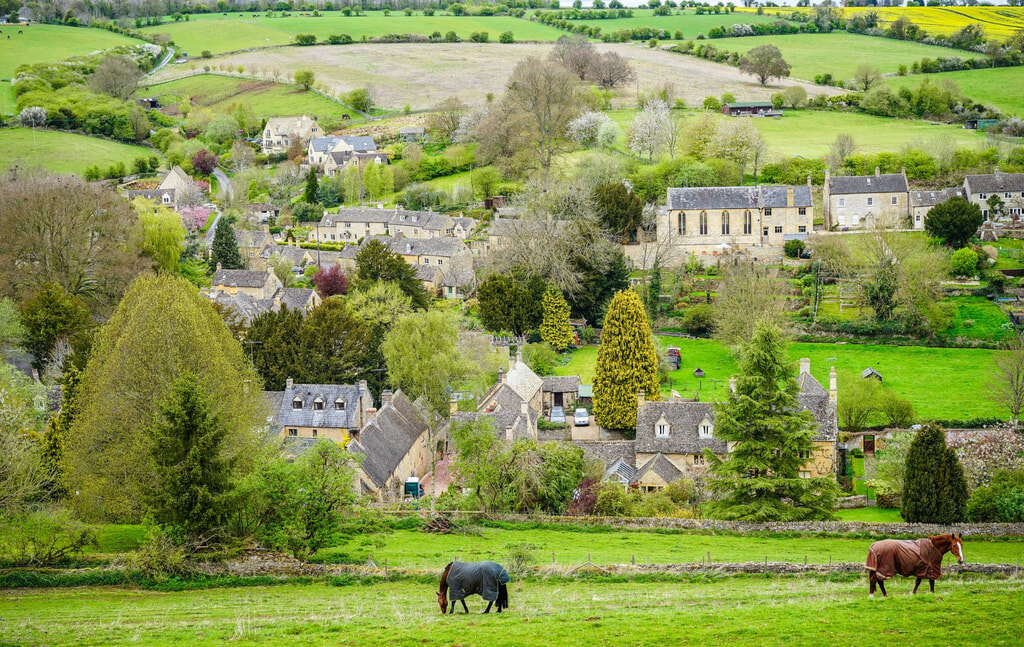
943,383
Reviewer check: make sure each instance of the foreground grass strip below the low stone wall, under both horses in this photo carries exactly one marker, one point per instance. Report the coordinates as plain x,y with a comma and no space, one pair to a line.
738,612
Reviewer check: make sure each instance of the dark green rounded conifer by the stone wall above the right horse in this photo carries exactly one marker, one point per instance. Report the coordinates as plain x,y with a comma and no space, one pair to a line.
934,488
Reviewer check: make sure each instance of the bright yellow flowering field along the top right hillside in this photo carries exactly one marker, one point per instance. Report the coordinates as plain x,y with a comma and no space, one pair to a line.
1000,22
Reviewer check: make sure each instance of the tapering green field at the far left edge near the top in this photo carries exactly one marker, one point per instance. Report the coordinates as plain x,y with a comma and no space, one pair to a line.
44,44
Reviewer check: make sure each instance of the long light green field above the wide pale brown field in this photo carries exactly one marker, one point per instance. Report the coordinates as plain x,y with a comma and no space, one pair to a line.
237,31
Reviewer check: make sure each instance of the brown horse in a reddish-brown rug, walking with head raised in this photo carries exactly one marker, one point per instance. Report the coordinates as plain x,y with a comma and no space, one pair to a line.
921,559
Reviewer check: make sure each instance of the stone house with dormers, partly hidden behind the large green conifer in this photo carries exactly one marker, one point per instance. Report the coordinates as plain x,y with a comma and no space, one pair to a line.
677,433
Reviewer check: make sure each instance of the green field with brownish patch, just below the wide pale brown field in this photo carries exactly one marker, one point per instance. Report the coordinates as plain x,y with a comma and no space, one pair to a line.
267,99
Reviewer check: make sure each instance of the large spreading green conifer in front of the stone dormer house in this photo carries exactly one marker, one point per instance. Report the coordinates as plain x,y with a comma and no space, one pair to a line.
762,422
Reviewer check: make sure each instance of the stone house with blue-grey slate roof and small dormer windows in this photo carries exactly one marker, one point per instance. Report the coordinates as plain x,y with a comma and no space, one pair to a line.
309,413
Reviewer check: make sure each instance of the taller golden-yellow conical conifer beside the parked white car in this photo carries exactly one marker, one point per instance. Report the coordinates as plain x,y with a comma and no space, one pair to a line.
627,365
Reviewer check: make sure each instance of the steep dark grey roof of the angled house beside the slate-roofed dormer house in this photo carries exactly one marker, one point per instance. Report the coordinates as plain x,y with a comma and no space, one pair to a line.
389,439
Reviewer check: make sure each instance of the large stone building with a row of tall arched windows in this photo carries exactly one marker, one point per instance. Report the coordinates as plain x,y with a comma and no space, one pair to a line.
713,222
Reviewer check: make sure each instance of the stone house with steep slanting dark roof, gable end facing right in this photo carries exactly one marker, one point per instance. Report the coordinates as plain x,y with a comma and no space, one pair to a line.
394,442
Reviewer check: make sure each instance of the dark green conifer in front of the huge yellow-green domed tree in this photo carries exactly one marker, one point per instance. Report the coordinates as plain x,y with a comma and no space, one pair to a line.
193,469
